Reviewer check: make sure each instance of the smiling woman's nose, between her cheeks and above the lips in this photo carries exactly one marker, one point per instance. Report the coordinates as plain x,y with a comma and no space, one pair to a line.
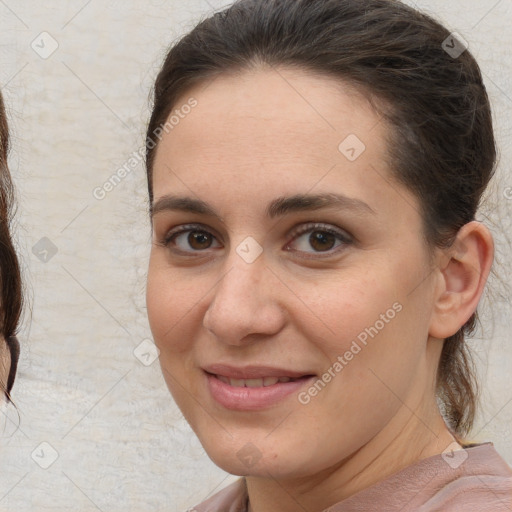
245,306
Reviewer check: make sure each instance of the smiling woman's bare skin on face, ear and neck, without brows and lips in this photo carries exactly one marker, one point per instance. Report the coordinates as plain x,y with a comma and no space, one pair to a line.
269,133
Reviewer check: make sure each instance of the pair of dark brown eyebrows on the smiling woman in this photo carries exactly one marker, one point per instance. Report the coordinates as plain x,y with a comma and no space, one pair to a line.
276,208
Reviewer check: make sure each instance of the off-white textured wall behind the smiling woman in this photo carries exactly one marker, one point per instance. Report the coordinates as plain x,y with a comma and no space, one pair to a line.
76,117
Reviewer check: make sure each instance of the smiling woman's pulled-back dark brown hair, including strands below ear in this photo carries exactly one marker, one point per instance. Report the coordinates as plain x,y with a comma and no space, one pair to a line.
441,142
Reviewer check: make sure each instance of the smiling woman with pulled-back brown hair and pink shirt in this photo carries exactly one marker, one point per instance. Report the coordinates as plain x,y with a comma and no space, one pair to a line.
314,172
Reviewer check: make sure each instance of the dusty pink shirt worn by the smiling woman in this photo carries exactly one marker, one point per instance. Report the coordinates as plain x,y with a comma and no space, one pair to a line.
478,480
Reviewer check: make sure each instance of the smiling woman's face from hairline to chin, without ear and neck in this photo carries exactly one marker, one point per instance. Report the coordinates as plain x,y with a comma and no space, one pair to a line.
289,290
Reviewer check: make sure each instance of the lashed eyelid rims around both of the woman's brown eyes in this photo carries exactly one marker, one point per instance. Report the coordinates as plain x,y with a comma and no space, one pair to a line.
340,235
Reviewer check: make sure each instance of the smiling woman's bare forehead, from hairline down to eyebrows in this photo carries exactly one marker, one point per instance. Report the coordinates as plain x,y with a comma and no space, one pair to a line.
273,132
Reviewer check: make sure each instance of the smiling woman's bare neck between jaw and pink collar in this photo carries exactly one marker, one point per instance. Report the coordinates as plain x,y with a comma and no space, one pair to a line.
382,456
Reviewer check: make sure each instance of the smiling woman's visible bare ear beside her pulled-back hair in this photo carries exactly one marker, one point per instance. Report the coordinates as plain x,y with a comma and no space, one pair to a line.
463,271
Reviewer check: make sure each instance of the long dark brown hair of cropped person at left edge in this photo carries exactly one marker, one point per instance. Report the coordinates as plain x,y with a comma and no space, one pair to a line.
10,277
